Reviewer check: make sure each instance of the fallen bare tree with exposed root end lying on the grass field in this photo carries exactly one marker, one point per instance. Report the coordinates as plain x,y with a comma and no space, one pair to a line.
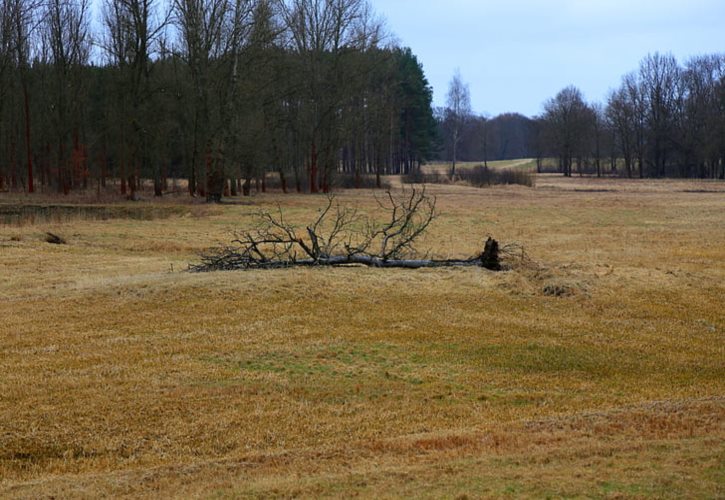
340,236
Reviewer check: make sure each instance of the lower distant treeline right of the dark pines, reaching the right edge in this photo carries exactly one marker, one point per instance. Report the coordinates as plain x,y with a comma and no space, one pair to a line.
665,120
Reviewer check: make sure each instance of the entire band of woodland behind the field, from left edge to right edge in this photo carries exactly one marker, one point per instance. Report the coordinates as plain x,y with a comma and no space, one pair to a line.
307,95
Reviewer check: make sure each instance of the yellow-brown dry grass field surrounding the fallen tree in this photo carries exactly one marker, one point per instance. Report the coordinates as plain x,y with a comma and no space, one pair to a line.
596,369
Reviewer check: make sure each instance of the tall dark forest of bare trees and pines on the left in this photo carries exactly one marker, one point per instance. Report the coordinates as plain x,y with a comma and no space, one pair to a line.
220,92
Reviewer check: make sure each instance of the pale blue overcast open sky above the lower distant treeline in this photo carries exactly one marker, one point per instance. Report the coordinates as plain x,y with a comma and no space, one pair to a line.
516,54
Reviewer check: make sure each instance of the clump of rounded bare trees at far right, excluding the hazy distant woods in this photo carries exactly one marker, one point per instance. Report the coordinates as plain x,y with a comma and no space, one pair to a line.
665,120
